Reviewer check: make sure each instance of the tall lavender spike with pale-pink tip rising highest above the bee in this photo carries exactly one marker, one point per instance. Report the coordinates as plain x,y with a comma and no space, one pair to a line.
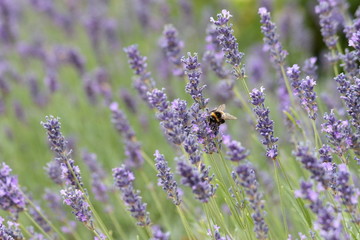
227,39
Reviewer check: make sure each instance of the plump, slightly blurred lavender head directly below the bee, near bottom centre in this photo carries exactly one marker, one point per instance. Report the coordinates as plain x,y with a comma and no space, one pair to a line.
198,180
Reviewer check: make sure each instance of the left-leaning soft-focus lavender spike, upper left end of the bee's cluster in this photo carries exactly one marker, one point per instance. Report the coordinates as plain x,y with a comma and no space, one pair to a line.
143,83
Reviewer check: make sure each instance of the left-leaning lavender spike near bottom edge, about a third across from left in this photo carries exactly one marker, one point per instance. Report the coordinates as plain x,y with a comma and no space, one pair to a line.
124,181
